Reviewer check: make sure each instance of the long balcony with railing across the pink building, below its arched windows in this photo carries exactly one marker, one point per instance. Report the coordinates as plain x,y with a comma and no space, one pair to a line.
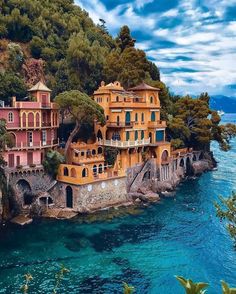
33,145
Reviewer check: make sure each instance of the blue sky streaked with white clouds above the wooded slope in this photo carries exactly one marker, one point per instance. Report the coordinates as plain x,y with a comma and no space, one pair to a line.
193,42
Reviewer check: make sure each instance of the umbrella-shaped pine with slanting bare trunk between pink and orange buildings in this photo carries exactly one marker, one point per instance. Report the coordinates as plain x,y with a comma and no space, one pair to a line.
82,110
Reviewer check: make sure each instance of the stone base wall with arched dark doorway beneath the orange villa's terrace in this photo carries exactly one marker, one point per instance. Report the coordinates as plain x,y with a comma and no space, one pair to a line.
91,197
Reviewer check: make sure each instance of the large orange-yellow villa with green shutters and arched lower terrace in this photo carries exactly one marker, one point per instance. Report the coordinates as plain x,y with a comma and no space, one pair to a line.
133,126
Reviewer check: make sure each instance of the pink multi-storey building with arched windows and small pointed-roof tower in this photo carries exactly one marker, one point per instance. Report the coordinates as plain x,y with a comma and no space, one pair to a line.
33,126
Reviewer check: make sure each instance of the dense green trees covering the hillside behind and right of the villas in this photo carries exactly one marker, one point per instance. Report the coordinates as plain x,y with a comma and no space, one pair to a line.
56,41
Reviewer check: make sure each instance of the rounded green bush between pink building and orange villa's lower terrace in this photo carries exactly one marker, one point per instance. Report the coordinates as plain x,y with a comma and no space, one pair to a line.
52,161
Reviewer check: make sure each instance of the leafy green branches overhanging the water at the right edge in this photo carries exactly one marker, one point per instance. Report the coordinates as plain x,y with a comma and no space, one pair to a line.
226,209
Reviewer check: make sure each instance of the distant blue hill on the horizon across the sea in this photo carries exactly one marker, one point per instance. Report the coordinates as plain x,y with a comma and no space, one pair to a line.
220,102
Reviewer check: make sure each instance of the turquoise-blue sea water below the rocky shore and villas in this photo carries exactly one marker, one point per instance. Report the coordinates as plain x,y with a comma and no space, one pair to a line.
144,247
